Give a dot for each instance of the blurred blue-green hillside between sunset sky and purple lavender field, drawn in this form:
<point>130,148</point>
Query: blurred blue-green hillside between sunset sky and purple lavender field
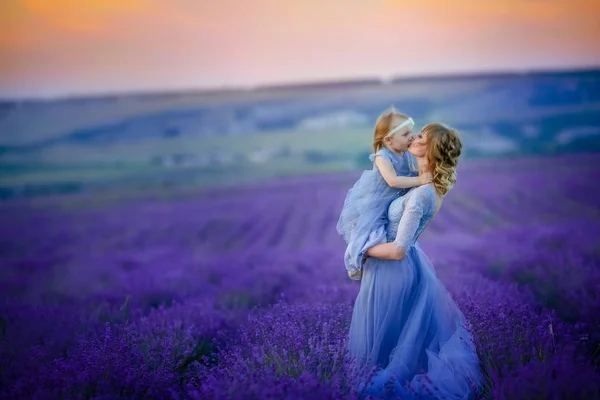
<point>123,142</point>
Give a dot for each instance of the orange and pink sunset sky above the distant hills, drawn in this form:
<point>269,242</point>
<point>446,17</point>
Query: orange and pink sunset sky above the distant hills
<point>60,47</point>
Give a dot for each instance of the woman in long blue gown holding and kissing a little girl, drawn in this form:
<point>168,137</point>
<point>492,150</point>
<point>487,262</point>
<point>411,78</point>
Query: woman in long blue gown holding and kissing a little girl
<point>404,320</point>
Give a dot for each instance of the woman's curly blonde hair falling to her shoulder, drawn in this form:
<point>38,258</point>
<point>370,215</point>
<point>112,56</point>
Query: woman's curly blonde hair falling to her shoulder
<point>445,148</point>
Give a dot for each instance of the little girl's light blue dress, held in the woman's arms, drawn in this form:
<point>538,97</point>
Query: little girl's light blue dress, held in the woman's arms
<point>363,218</point>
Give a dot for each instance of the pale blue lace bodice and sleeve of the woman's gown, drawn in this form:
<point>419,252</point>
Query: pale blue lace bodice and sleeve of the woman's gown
<point>408,215</point>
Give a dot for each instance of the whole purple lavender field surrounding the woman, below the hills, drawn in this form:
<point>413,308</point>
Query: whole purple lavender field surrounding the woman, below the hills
<point>241,293</point>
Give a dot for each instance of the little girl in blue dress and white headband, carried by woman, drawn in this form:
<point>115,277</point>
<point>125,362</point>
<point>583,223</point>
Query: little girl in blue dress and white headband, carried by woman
<point>364,215</point>
